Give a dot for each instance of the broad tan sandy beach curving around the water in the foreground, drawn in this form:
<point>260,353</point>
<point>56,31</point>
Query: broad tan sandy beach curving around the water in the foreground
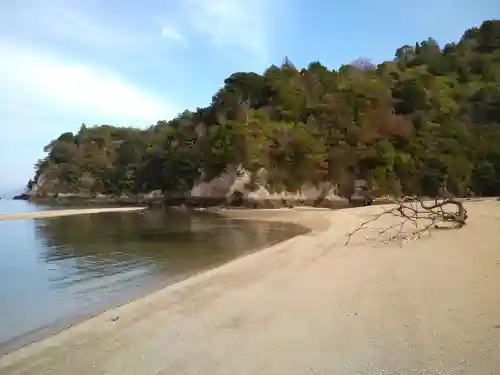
<point>309,305</point>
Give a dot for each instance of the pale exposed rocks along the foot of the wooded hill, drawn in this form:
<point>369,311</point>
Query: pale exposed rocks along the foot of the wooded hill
<point>236,186</point>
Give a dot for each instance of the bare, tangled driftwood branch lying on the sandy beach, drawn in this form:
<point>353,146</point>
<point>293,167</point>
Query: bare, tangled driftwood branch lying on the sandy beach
<point>422,216</point>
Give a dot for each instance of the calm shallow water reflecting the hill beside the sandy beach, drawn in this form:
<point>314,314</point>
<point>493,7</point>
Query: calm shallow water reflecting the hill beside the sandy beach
<point>58,270</point>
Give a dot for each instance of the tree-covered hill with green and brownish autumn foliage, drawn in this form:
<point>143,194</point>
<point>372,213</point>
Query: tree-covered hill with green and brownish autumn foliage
<point>429,115</point>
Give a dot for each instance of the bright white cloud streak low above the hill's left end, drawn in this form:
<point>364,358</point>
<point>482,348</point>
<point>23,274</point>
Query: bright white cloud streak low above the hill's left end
<point>58,85</point>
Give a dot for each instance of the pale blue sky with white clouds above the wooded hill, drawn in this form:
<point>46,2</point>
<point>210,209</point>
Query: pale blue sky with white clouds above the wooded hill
<point>127,62</point>
